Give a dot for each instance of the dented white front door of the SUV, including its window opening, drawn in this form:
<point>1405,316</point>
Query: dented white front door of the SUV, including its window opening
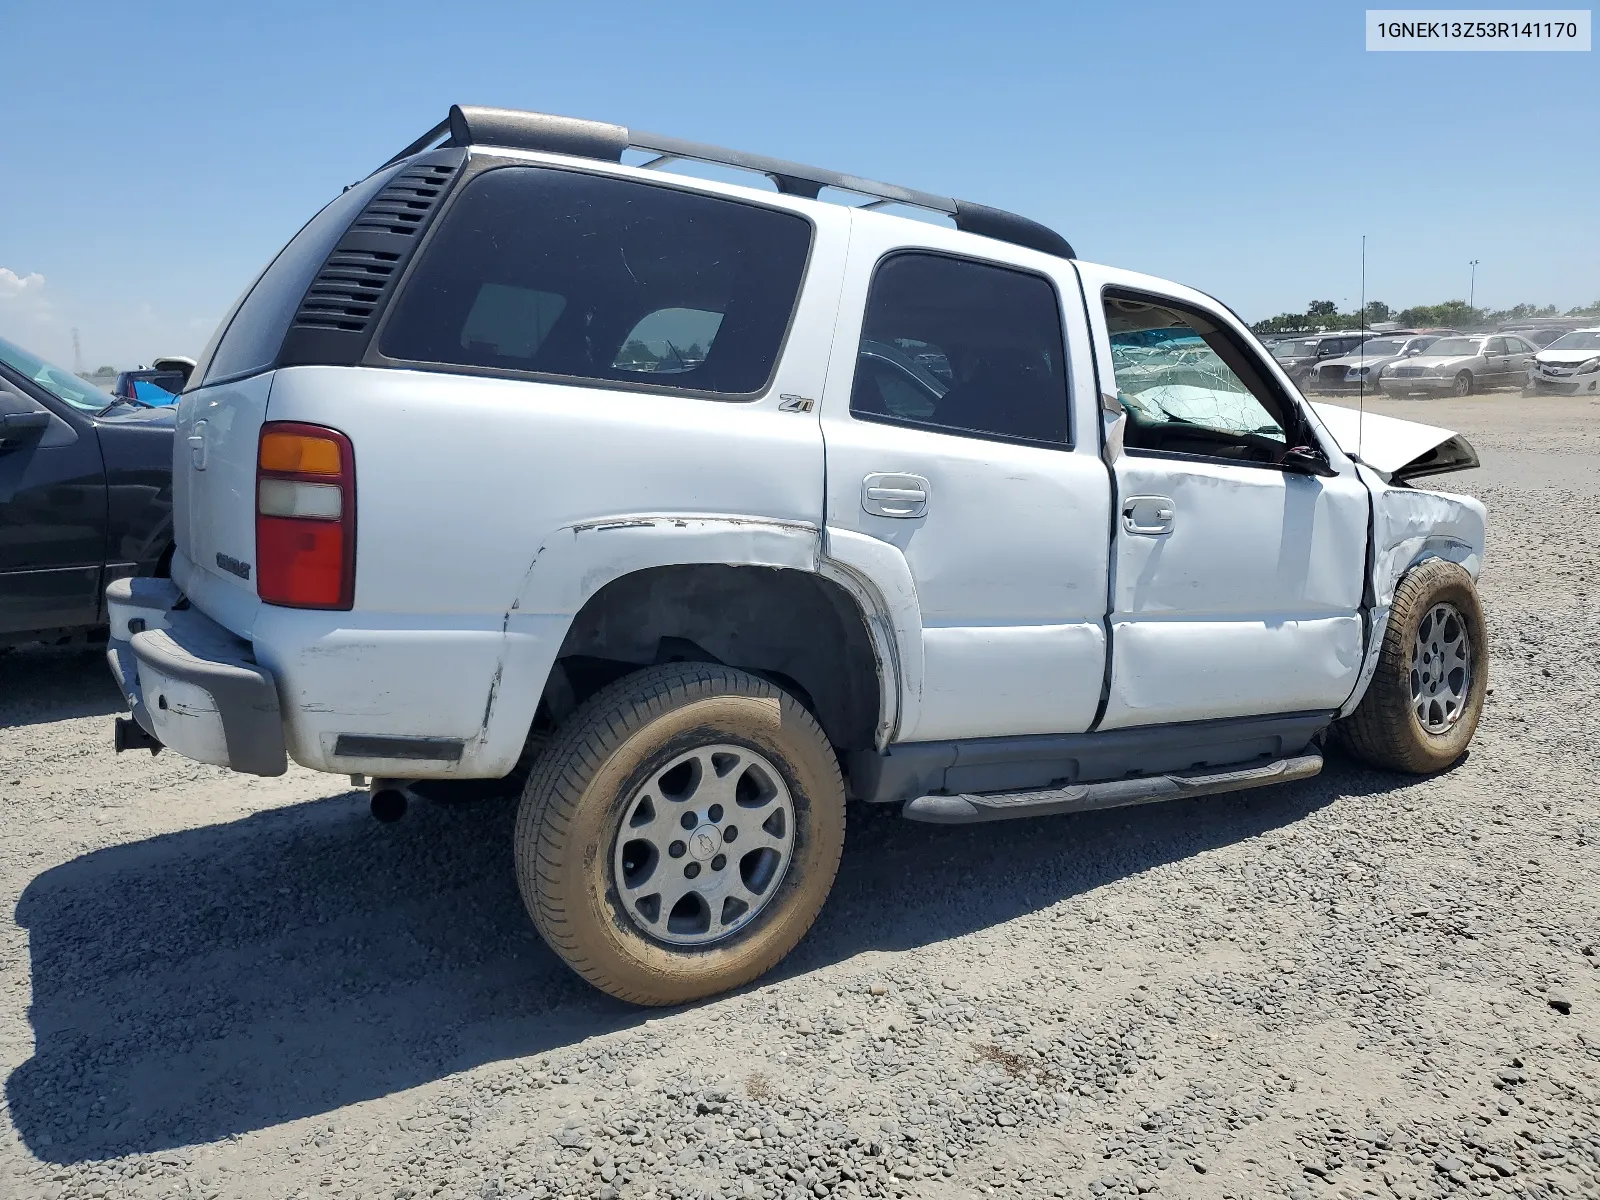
<point>1238,583</point>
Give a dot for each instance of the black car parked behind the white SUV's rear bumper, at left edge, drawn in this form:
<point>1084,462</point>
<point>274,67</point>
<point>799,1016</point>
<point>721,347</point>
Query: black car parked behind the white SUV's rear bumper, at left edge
<point>86,497</point>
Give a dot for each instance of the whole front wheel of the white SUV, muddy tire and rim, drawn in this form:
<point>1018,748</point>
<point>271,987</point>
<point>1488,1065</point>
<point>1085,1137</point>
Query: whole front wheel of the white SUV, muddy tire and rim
<point>1426,697</point>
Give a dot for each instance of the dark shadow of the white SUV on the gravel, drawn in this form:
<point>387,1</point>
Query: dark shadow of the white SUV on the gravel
<point>238,977</point>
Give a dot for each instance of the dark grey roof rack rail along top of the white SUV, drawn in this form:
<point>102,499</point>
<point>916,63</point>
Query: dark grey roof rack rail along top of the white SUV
<point>599,140</point>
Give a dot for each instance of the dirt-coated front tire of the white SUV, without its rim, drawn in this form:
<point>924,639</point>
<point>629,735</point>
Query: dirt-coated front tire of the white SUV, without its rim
<point>1385,730</point>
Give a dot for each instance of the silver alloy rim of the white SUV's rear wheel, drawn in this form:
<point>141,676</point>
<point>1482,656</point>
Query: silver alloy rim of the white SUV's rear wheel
<point>705,846</point>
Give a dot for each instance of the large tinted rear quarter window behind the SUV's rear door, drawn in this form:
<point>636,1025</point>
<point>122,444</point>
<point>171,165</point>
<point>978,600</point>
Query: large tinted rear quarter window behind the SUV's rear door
<point>590,278</point>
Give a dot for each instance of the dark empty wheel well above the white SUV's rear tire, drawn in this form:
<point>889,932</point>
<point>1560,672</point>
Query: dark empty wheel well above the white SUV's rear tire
<point>796,630</point>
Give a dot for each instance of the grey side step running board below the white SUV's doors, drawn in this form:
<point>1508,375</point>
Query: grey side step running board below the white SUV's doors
<point>961,810</point>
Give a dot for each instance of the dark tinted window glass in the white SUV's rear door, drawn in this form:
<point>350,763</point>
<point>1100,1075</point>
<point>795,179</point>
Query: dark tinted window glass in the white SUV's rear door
<point>962,348</point>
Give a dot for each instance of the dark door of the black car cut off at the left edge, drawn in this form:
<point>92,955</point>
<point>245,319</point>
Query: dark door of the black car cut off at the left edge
<point>52,516</point>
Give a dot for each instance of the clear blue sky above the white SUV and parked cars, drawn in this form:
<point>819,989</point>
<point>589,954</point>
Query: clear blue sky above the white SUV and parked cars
<point>159,154</point>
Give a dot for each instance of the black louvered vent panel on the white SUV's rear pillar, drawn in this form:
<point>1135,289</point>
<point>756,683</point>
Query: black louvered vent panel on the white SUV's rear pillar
<point>343,302</point>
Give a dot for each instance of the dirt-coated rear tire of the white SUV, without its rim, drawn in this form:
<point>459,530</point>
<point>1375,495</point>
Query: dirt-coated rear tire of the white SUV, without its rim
<point>574,809</point>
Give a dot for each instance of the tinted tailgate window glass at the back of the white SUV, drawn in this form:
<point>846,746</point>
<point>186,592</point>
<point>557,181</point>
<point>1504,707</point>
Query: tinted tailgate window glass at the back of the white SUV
<point>255,335</point>
